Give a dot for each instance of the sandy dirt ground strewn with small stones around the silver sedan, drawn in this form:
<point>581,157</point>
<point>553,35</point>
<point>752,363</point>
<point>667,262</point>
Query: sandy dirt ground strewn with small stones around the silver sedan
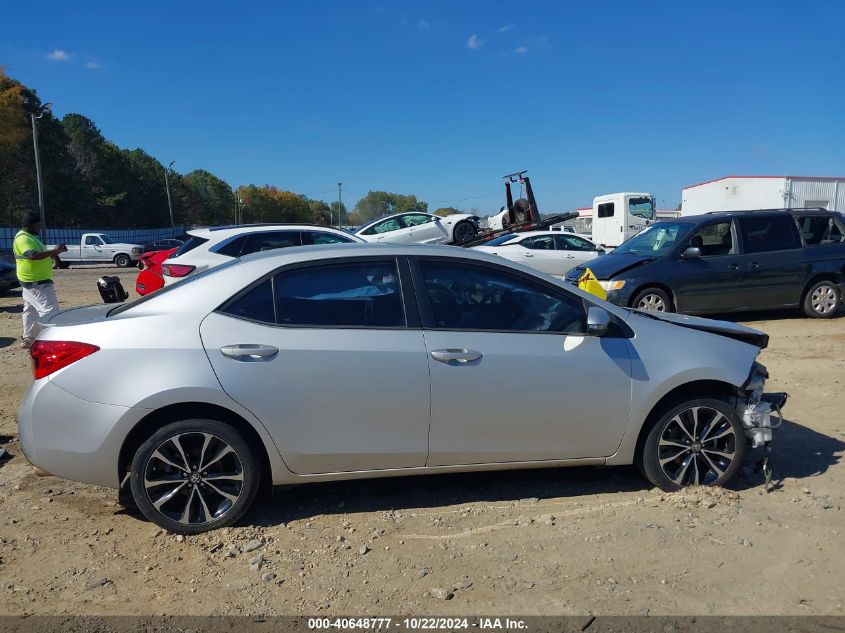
<point>569,541</point>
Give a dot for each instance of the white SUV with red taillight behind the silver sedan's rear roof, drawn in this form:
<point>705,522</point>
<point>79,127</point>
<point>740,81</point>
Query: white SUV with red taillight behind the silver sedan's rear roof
<point>207,248</point>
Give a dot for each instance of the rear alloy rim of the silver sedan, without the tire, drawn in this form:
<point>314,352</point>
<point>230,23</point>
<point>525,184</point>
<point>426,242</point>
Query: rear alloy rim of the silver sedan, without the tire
<point>193,478</point>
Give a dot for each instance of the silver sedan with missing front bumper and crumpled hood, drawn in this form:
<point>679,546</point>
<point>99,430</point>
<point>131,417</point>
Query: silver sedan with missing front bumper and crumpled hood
<point>347,361</point>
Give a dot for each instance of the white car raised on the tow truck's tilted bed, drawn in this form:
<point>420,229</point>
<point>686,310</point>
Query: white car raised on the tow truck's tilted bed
<point>421,228</point>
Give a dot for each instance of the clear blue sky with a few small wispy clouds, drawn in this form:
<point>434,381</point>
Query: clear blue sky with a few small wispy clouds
<point>441,99</point>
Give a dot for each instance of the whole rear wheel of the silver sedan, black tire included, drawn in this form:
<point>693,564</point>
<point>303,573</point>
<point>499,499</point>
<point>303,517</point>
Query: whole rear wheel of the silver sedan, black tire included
<point>190,503</point>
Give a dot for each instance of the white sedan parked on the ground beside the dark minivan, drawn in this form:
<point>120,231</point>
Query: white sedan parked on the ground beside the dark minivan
<point>552,252</point>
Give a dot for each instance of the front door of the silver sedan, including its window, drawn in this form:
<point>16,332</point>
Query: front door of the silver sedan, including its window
<point>513,377</point>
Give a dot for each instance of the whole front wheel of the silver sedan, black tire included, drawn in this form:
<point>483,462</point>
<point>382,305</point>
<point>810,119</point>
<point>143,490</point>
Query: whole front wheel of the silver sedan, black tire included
<point>703,462</point>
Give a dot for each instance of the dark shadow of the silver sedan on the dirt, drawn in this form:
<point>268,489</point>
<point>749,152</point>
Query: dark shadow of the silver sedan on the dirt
<point>798,452</point>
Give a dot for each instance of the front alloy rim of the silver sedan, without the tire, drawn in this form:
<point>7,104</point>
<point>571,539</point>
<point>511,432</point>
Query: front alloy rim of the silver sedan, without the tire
<point>697,446</point>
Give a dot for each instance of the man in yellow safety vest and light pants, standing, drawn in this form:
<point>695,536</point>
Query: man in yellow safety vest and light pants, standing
<point>34,264</point>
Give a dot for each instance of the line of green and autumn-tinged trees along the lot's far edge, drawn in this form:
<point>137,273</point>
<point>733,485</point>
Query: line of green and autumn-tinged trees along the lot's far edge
<point>90,181</point>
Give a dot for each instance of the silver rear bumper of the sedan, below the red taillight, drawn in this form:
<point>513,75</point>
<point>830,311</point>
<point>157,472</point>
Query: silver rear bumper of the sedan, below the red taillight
<point>70,437</point>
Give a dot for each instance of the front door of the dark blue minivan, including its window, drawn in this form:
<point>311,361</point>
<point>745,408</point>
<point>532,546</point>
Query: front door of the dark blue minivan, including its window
<point>715,281</point>
